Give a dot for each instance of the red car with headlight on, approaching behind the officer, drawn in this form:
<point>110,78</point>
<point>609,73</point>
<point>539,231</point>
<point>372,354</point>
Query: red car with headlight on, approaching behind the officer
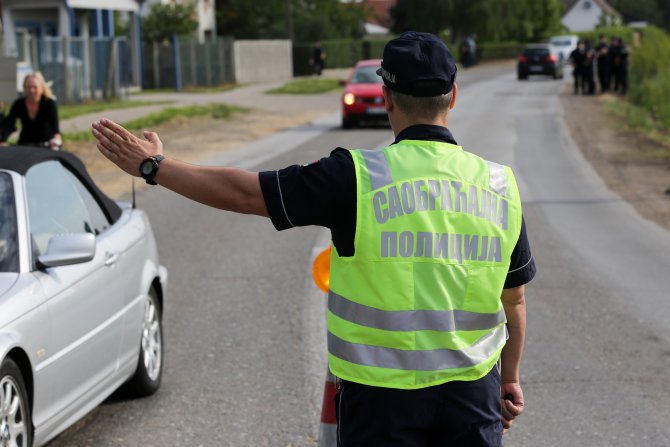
<point>362,99</point>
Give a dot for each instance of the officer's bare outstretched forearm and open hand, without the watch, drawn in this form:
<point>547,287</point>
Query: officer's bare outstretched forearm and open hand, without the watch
<point>225,188</point>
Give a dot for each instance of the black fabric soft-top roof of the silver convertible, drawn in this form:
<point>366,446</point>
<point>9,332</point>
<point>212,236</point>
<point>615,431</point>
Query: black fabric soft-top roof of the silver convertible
<point>21,158</point>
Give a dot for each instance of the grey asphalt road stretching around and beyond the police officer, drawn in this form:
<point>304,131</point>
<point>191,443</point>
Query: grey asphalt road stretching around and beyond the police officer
<point>244,330</point>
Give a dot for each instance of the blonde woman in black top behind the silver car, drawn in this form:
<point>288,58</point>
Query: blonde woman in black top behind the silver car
<point>38,112</point>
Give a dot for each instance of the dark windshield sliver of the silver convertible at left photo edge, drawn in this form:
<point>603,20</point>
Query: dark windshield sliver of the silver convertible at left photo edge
<point>9,253</point>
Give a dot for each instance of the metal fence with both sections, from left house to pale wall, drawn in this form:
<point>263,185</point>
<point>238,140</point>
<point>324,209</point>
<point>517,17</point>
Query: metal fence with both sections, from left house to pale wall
<point>81,68</point>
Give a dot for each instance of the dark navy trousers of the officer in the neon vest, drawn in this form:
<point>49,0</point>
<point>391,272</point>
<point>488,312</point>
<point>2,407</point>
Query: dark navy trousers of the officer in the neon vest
<point>454,414</point>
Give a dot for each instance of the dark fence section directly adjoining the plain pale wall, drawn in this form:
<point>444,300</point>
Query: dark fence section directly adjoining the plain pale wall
<point>188,63</point>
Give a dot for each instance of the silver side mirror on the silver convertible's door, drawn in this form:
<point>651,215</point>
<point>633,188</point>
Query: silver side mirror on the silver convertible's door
<point>67,249</point>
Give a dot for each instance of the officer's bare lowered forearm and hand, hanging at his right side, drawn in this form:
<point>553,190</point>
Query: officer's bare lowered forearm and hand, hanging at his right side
<point>514,303</point>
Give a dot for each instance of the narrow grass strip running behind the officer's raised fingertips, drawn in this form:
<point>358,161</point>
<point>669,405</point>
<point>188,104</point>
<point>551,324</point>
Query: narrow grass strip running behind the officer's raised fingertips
<point>217,111</point>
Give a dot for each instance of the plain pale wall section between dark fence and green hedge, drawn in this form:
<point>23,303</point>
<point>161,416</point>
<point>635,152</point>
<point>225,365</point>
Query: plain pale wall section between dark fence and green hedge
<point>263,60</point>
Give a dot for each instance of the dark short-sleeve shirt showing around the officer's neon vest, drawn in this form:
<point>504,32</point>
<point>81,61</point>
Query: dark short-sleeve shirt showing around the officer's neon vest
<point>324,193</point>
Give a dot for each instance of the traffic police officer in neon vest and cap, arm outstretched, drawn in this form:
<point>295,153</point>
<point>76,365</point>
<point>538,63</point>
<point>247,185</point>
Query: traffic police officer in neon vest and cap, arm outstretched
<point>430,258</point>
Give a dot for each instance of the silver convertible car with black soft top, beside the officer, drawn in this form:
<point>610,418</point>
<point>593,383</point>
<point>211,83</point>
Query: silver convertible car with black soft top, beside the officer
<point>81,296</point>
